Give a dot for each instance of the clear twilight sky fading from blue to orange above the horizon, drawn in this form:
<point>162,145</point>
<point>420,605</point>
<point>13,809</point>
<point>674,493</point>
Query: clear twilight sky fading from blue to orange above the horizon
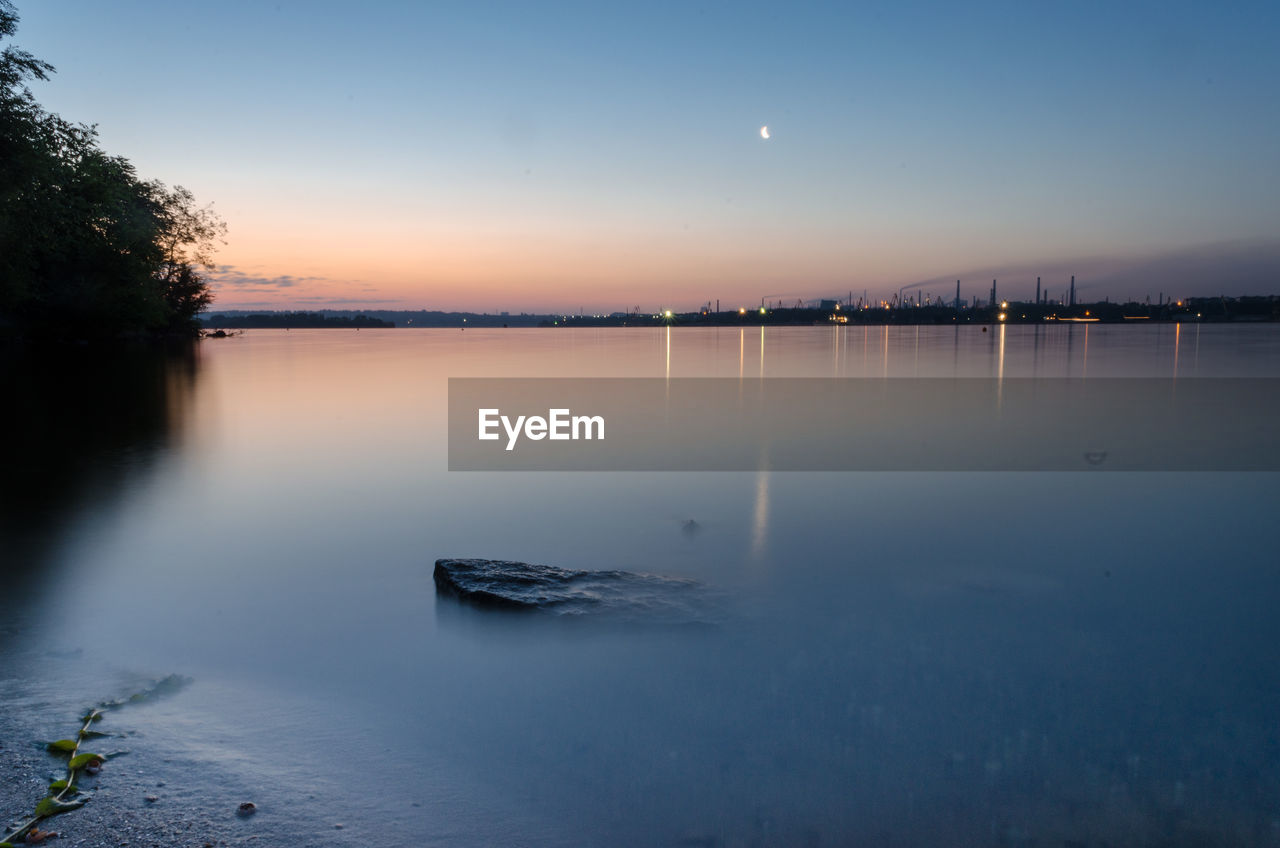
<point>556,157</point>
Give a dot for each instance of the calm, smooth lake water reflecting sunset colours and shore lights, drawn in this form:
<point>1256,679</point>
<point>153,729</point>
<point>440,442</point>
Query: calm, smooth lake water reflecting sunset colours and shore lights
<point>893,659</point>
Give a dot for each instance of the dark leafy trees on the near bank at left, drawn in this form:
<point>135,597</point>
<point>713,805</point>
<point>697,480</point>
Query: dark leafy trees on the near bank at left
<point>88,249</point>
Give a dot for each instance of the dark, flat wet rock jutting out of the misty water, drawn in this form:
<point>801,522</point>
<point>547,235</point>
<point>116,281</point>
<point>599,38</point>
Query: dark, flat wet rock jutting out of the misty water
<point>520,586</point>
